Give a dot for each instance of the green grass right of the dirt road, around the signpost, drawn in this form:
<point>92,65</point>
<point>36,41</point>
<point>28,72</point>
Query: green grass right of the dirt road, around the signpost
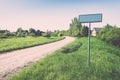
<point>70,63</point>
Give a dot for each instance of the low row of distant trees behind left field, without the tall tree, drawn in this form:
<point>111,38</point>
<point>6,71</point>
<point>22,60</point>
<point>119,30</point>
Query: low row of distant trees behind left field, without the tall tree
<point>31,32</point>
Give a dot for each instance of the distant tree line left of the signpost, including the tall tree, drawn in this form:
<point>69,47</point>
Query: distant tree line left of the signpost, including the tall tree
<point>75,30</point>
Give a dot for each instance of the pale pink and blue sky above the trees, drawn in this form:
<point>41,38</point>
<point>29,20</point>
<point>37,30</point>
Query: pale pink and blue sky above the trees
<point>55,14</point>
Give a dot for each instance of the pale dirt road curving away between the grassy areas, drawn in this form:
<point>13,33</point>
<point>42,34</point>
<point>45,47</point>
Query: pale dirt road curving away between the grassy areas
<point>14,61</point>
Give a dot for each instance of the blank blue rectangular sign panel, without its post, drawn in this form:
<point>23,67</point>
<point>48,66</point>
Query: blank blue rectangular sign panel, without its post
<point>90,18</point>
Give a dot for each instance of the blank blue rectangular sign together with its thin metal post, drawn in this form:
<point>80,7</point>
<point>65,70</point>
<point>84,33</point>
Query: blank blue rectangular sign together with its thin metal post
<point>90,18</point>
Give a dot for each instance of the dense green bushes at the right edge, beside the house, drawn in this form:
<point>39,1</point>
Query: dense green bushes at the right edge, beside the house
<point>111,36</point>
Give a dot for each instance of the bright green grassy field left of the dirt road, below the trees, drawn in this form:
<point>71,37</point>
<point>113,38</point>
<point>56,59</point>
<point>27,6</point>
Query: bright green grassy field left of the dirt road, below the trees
<point>10,44</point>
